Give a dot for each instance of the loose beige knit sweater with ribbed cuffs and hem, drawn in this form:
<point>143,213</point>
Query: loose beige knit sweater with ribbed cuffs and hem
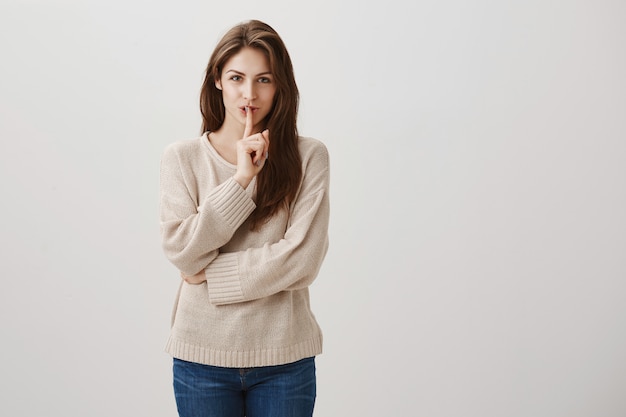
<point>254,309</point>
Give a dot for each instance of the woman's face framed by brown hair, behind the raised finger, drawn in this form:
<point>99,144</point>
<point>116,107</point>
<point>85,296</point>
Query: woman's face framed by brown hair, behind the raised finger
<point>247,81</point>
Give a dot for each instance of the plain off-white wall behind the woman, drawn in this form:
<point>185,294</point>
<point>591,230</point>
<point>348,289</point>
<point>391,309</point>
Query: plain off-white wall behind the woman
<point>478,237</point>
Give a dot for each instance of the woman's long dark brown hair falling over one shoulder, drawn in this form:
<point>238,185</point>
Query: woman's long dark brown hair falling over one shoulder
<point>278,181</point>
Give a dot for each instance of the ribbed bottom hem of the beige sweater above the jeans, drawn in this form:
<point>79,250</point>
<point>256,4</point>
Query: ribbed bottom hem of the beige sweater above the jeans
<point>244,359</point>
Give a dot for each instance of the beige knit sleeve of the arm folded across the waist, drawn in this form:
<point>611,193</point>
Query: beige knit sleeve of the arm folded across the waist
<point>291,263</point>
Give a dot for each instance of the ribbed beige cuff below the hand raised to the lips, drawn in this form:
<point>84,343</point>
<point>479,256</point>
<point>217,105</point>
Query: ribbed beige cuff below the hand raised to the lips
<point>232,202</point>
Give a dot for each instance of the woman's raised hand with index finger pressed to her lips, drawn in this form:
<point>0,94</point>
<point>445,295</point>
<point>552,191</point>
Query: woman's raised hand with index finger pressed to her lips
<point>252,152</point>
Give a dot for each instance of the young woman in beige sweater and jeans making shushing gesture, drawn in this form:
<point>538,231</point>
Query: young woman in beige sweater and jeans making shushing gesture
<point>244,217</point>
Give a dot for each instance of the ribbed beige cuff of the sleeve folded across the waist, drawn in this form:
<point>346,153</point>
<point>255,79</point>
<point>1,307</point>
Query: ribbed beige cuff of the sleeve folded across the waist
<point>223,281</point>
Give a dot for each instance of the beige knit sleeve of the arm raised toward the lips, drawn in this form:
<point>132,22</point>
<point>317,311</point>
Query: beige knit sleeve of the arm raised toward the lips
<point>192,234</point>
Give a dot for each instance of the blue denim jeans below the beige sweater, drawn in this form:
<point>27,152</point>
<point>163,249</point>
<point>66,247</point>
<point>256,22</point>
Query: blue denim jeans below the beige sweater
<point>271,391</point>
